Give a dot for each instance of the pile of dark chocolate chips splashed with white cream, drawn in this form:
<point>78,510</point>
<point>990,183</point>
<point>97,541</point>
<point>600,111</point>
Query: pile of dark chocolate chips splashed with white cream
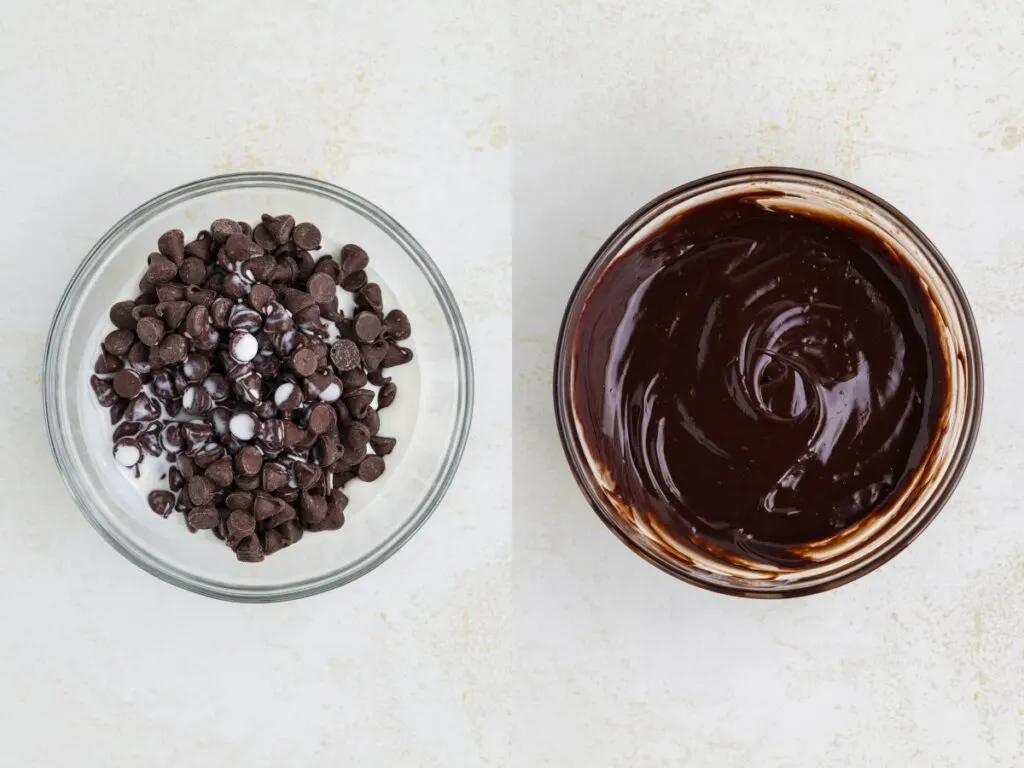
<point>237,366</point>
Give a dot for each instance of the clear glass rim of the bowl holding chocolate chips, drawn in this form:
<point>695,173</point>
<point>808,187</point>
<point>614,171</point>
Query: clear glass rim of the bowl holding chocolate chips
<point>54,407</point>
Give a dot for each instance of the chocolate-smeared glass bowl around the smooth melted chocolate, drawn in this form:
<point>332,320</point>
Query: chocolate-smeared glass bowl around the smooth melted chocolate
<point>866,546</point>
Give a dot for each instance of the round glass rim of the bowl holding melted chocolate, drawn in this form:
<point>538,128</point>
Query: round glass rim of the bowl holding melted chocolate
<point>718,182</point>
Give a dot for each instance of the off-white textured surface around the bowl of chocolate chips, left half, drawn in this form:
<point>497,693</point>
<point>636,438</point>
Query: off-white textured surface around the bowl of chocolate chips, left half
<point>107,105</point>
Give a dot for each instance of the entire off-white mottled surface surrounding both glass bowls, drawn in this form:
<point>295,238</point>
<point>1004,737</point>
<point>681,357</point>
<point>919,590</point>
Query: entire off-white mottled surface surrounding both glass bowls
<point>579,651</point>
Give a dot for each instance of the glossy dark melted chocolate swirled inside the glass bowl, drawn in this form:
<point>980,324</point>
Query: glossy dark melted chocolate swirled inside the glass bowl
<point>757,380</point>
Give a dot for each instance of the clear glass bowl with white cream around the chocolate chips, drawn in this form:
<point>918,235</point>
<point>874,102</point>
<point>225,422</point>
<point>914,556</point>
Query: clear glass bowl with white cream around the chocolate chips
<point>431,418</point>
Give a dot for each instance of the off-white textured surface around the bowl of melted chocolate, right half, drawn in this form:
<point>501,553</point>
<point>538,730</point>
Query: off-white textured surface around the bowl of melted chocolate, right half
<point>921,664</point>
